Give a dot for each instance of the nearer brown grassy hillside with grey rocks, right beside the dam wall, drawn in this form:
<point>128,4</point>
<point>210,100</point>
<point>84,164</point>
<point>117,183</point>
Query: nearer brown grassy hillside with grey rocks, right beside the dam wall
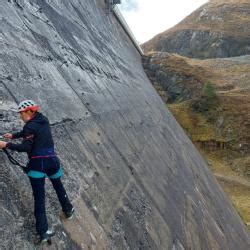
<point>222,132</point>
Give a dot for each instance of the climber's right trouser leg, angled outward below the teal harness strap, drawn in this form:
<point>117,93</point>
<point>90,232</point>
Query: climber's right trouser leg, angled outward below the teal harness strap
<point>61,194</point>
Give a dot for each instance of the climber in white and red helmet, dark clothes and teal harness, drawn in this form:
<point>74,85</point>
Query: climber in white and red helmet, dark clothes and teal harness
<point>38,144</point>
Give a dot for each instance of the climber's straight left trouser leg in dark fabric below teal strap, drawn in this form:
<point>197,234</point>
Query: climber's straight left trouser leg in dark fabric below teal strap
<point>37,185</point>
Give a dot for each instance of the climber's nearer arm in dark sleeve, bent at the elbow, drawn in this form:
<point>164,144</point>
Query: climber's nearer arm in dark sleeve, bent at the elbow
<point>26,145</point>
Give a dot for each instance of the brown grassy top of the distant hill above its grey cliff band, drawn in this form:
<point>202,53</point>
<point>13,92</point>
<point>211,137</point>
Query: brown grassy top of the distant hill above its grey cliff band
<point>227,17</point>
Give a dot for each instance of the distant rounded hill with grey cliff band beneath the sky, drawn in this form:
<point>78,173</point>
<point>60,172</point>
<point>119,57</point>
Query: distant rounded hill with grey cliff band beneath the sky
<point>220,28</point>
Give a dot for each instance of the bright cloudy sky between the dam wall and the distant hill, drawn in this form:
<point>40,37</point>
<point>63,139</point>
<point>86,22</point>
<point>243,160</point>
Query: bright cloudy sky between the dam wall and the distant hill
<point>147,18</point>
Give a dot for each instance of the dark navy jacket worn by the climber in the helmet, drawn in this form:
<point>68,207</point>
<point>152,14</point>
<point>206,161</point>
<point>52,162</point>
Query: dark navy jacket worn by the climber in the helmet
<point>37,138</point>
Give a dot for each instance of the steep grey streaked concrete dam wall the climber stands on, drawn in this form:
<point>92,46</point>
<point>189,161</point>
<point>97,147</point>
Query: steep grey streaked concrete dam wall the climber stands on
<point>136,180</point>
